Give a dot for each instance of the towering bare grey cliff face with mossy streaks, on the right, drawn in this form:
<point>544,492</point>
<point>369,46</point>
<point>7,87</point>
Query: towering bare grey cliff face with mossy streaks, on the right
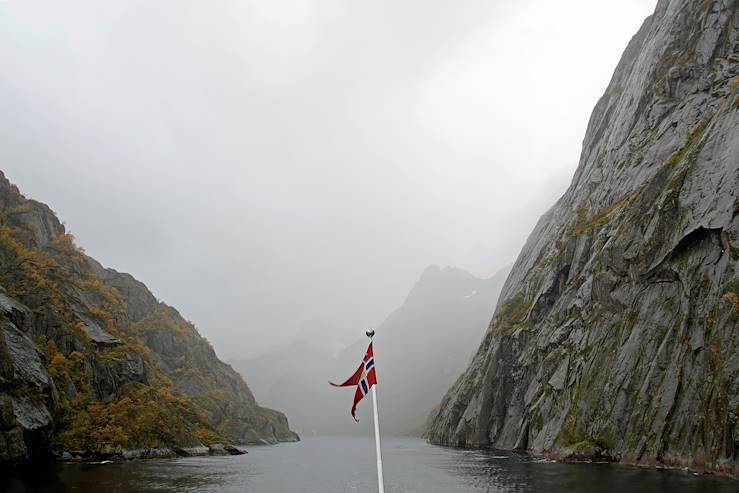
<point>616,332</point>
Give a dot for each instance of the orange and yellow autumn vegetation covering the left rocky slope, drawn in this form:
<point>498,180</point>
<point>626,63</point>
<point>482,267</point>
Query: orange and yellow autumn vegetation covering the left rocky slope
<point>144,409</point>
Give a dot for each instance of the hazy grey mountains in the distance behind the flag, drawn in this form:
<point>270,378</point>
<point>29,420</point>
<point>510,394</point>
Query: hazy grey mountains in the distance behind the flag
<point>437,323</point>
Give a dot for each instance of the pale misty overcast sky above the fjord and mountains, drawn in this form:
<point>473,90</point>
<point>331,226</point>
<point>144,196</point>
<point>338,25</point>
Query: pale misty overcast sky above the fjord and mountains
<point>259,164</point>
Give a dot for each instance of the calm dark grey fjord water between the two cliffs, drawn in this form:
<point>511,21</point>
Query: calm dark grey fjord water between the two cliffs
<point>347,464</point>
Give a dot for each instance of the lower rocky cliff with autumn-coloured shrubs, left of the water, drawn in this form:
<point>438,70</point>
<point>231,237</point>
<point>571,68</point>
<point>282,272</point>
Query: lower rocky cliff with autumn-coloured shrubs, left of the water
<point>91,361</point>
